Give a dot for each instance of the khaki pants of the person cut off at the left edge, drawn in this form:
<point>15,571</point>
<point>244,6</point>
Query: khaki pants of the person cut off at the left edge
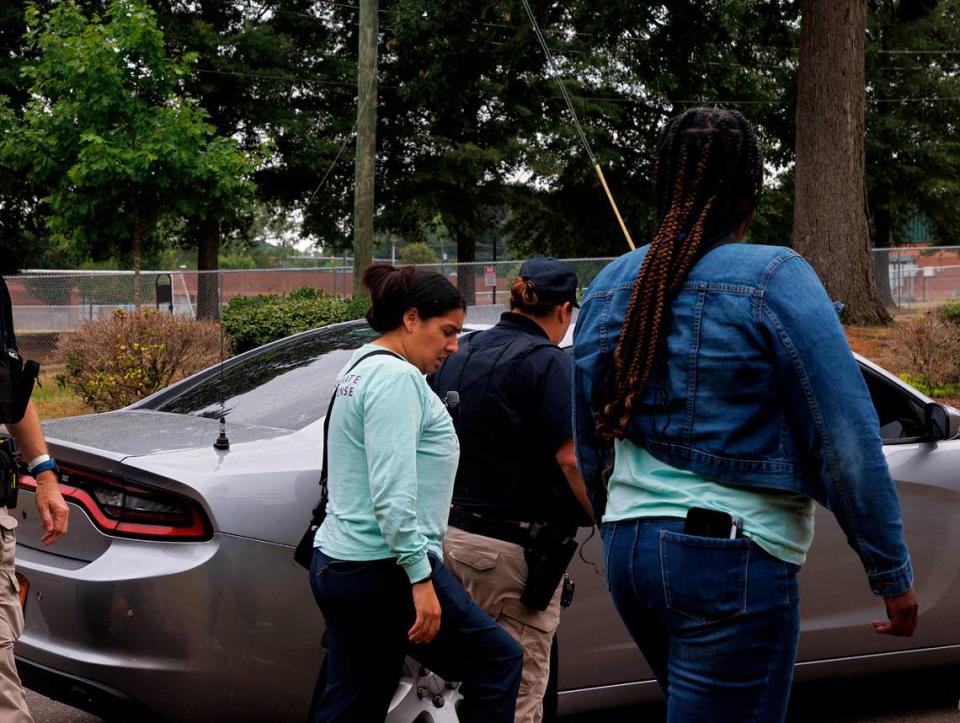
<point>13,702</point>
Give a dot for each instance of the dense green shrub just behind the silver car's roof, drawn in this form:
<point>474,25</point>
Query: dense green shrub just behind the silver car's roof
<point>250,321</point>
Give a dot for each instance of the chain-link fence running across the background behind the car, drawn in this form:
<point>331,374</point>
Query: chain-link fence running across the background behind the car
<point>47,304</point>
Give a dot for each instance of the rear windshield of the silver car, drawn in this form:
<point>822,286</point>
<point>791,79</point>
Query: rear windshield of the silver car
<point>287,386</point>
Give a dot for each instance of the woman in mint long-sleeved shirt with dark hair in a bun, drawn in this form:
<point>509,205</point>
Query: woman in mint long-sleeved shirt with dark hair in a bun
<point>377,573</point>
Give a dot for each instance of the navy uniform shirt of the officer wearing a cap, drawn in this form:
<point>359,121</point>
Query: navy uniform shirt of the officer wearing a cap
<point>515,413</point>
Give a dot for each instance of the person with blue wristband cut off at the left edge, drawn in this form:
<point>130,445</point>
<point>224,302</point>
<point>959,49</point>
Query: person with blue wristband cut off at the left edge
<point>20,417</point>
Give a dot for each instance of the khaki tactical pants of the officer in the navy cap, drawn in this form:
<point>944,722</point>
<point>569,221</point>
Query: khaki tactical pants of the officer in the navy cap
<point>494,572</point>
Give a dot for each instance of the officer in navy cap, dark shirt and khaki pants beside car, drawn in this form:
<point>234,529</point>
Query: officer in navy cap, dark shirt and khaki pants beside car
<point>518,498</point>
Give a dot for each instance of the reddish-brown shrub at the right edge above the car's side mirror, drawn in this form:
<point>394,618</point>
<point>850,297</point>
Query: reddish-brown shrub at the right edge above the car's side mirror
<point>933,346</point>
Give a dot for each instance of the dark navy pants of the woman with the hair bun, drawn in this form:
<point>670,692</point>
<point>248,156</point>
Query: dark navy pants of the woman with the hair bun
<point>368,609</point>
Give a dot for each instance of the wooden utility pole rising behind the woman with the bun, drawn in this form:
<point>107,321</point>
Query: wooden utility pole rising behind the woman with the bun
<point>366,156</point>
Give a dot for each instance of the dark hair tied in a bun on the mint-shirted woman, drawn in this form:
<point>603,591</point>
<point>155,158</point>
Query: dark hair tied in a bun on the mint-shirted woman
<point>394,290</point>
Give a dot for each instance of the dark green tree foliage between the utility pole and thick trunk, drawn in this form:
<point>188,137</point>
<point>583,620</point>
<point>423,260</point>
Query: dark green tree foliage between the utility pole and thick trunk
<point>477,123</point>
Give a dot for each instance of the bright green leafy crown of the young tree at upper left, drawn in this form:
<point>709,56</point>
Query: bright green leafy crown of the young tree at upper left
<point>108,136</point>
